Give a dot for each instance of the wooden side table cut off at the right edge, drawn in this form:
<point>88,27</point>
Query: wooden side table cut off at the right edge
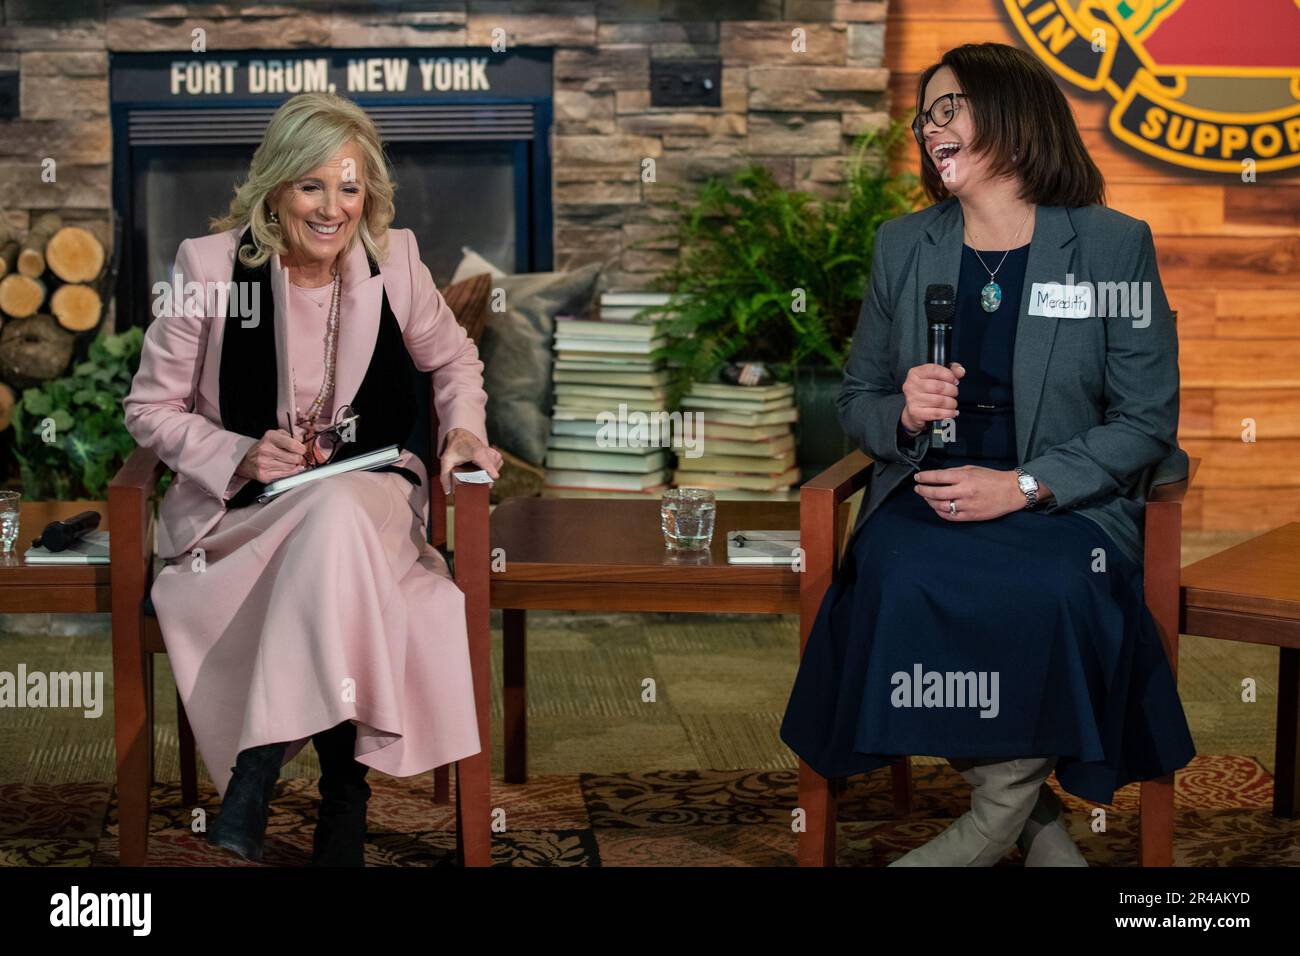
<point>1251,594</point>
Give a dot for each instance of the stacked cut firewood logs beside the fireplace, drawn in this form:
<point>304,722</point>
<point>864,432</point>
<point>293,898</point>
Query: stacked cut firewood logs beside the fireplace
<point>50,291</point>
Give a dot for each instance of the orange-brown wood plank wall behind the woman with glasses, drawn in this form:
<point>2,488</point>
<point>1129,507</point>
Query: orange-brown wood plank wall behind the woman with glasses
<point>1229,258</point>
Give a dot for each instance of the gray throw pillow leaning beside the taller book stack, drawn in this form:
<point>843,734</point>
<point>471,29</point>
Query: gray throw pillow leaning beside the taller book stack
<point>518,358</point>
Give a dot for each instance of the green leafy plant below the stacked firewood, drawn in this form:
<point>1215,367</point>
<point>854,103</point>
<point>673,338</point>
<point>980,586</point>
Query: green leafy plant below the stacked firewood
<point>70,435</point>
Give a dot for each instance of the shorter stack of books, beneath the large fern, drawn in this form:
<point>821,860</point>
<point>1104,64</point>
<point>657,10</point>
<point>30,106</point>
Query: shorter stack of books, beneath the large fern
<point>748,442</point>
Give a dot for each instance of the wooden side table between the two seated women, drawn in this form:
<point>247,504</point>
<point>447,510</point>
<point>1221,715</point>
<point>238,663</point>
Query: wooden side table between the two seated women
<point>595,555</point>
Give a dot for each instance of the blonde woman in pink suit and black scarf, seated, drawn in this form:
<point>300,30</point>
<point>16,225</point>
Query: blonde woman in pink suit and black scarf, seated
<point>323,613</point>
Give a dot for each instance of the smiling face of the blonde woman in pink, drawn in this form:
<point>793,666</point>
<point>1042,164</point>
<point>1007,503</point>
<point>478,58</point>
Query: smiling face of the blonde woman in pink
<point>322,210</point>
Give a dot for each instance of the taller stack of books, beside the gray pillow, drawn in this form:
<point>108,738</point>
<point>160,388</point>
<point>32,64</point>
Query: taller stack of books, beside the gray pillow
<point>604,375</point>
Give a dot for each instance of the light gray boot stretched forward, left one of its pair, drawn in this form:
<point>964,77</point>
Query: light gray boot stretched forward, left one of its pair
<point>1003,798</point>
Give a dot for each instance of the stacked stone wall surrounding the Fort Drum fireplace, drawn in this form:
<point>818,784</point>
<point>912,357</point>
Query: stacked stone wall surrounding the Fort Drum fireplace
<point>791,110</point>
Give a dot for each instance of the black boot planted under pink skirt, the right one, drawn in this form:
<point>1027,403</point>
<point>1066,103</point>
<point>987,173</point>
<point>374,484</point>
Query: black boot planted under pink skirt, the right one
<point>340,838</point>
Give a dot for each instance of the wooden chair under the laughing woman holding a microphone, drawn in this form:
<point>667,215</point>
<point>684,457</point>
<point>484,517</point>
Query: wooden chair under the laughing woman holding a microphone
<point>824,546</point>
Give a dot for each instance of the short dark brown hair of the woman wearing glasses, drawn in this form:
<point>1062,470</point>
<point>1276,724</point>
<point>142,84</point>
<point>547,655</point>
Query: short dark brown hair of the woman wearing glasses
<point>1017,109</point>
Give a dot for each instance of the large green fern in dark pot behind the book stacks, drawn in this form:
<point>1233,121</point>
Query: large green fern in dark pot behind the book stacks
<point>778,276</point>
